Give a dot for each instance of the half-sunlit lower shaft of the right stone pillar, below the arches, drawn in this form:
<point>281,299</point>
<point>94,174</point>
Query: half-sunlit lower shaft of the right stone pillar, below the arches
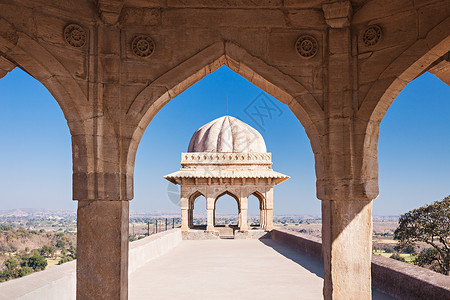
<point>347,249</point>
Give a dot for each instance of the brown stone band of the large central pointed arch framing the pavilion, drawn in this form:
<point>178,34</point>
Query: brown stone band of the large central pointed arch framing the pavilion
<point>281,86</point>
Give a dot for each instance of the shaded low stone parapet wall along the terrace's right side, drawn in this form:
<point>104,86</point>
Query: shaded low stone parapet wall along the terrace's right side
<point>398,279</point>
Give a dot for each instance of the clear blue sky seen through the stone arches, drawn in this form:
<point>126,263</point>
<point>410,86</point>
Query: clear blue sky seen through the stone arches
<point>35,147</point>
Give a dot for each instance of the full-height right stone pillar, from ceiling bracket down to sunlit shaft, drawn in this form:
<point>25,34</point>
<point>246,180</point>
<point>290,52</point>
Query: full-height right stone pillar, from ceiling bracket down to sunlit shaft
<point>347,176</point>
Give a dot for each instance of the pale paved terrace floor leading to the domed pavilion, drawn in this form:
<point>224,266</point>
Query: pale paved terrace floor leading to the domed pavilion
<point>230,269</point>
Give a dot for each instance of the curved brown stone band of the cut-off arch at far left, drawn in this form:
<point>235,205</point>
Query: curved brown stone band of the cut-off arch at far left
<point>27,53</point>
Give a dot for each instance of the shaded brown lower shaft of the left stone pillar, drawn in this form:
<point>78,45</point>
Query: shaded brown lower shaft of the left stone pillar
<point>102,249</point>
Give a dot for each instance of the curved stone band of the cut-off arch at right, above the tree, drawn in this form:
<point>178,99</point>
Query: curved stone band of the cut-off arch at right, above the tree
<point>410,64</point>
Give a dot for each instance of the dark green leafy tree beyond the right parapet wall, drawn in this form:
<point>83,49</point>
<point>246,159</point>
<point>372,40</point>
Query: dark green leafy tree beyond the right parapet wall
<point>429,224</point>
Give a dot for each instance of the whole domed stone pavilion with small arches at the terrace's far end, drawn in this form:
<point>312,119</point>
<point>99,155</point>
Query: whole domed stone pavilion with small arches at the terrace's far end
<point>226,156</point>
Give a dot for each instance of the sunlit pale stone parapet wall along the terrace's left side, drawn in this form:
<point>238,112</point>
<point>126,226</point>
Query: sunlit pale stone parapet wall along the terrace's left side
<point>59,282</point>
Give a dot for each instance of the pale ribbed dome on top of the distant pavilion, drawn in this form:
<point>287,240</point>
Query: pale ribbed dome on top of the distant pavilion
<point>227,134</point>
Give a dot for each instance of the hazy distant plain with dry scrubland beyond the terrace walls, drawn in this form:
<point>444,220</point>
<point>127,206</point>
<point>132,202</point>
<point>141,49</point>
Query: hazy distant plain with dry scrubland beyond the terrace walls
<point>32,239</point>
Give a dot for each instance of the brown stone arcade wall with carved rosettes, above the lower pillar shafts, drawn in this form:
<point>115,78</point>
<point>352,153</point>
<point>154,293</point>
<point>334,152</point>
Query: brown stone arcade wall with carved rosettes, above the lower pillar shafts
<point>367,51</point>
